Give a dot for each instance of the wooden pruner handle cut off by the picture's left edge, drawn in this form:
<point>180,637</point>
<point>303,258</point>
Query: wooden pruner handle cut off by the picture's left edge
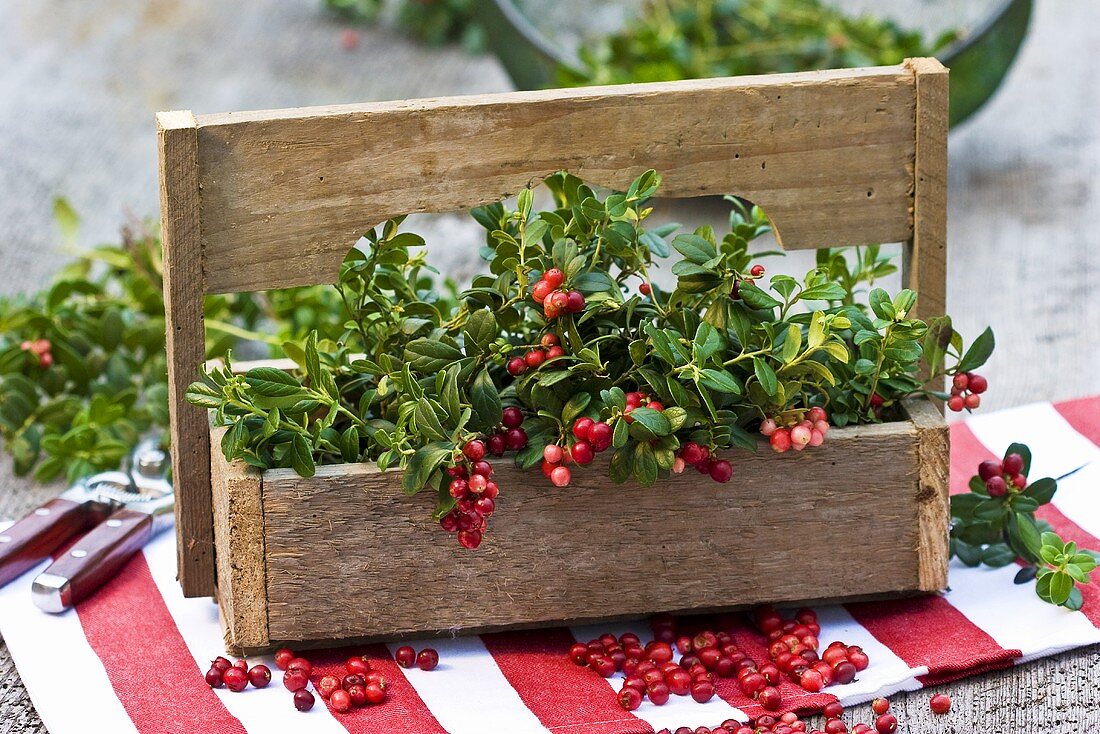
<point>30,541</point>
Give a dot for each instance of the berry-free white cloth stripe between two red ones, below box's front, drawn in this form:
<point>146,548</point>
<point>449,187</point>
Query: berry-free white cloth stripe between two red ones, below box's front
<point>468,694</point>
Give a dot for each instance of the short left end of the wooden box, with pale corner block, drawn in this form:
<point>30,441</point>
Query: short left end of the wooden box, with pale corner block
<point>239,531</point>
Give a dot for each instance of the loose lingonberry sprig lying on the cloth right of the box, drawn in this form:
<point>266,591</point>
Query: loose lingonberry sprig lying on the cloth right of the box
<point>995,524</point>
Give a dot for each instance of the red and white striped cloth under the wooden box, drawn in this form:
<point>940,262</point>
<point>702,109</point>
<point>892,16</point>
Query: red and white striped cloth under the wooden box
<point>131,659</point>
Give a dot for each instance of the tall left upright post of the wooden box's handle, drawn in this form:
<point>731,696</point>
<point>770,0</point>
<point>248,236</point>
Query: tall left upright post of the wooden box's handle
<point>184,289</point>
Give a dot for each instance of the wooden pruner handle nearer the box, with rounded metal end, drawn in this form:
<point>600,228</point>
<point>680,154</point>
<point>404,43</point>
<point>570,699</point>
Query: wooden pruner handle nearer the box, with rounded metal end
<point>93,562</point>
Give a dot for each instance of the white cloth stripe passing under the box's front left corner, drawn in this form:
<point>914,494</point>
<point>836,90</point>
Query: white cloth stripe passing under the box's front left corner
<point>261,710</point>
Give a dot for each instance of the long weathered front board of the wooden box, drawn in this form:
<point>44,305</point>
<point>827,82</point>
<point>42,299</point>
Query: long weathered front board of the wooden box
<point>349,556</point>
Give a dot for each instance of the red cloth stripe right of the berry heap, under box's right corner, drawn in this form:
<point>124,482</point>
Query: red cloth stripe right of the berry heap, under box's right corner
<point>928,631</point>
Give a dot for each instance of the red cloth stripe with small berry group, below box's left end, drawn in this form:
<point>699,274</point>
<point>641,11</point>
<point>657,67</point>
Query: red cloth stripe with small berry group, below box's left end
<point>403,711</point>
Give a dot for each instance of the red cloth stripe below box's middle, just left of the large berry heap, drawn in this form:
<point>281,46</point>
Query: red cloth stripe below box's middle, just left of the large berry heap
<point>562,695</point>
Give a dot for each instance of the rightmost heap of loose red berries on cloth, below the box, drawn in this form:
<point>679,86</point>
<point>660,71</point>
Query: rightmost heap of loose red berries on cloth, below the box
<point>794,650</point>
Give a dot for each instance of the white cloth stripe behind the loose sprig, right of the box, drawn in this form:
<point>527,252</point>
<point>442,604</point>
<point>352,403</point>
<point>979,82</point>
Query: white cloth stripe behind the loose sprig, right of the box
<point>1057,448</point>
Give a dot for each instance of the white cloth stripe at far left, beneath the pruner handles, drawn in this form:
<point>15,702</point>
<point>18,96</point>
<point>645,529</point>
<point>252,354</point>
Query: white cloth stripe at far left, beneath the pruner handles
<point>38,643</point>
